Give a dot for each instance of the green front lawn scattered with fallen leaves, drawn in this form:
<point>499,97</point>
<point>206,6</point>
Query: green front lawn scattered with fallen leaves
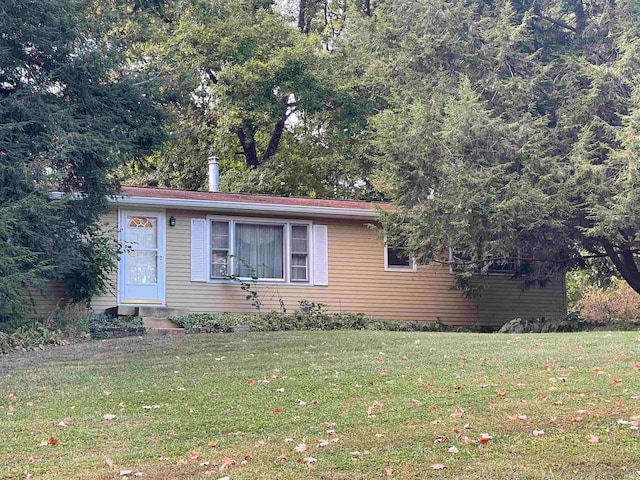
<point>363,404</point>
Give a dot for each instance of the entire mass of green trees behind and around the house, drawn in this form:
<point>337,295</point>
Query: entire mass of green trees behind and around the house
<point>505,131</point>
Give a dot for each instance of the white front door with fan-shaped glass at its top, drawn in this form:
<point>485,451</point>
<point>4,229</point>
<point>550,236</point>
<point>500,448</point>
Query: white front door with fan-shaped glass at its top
<point>142,273</point>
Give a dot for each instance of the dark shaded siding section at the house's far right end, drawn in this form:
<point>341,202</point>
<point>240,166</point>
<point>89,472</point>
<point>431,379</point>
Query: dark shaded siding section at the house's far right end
<point>505,300</point>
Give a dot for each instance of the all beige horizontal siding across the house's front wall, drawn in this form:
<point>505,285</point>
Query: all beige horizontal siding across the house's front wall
<point>358,282</point>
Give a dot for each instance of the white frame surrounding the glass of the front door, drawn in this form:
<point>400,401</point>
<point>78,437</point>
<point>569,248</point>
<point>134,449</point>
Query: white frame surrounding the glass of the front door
<point>161,215</point>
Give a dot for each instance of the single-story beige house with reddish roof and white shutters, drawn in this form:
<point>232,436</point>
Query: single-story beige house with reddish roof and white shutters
<point>184,249</point>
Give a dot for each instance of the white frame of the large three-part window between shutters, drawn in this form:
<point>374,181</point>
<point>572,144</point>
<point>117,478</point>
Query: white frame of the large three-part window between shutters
<point>285,223</point>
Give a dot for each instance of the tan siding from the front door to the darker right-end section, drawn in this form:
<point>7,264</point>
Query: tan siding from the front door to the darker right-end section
<point>357,281</point>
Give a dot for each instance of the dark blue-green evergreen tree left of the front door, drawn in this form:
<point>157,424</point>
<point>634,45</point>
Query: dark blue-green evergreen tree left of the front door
<point>67,117</point>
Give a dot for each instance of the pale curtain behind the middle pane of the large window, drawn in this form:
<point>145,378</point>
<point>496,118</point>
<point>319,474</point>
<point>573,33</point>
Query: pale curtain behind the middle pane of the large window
<point>261,247</point>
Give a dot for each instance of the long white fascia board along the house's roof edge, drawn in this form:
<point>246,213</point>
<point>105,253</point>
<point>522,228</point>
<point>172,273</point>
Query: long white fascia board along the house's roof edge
<point>210,205</point>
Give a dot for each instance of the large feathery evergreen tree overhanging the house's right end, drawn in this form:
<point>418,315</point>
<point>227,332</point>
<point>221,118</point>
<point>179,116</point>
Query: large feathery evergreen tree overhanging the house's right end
<point>513,133</point>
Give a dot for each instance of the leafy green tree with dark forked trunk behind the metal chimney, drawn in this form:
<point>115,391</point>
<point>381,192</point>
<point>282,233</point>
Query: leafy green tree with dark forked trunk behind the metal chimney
<point>245,84</point>
